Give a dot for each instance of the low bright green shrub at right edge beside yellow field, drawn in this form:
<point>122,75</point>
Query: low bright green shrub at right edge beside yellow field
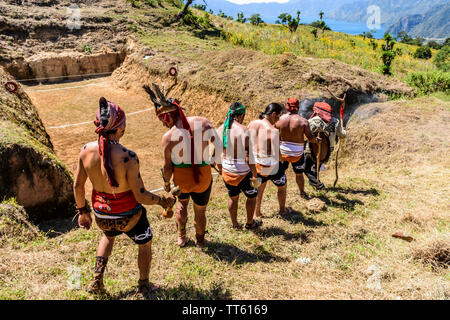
<point>429,82</point>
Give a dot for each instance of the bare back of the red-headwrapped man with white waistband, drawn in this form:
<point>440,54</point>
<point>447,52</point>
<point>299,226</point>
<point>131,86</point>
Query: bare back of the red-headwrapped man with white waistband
<point>293,128</point>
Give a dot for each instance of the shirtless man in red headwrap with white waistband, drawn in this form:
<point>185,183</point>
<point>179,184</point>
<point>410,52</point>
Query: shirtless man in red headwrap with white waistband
<point>293,129</point>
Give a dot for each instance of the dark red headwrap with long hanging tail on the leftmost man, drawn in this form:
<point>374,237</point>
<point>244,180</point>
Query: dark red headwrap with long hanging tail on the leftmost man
<point>116,120</point>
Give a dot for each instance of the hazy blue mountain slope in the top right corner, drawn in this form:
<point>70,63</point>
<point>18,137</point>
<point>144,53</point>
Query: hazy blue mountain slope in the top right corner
<point>435,23</point>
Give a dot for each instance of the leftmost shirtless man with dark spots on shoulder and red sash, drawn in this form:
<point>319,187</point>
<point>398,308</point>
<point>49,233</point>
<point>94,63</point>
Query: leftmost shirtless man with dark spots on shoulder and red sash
<point>118,194</point>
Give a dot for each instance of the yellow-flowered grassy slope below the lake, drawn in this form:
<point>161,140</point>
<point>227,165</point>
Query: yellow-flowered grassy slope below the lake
<point>354,50</point>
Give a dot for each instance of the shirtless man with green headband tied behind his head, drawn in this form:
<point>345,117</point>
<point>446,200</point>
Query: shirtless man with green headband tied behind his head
<point>238,172</point>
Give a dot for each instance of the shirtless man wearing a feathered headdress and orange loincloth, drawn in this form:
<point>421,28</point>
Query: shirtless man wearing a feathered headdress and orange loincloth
<point>185,159</point>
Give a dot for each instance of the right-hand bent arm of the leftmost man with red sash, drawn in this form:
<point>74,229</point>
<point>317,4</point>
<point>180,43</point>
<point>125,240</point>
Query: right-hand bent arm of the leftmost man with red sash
<point>137,186</point>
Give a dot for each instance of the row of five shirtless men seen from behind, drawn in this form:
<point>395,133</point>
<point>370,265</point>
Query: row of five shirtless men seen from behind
<point>245,157</point>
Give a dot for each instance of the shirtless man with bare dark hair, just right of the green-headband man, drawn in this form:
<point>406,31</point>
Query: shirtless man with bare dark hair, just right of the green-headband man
<point>265,144</point>
